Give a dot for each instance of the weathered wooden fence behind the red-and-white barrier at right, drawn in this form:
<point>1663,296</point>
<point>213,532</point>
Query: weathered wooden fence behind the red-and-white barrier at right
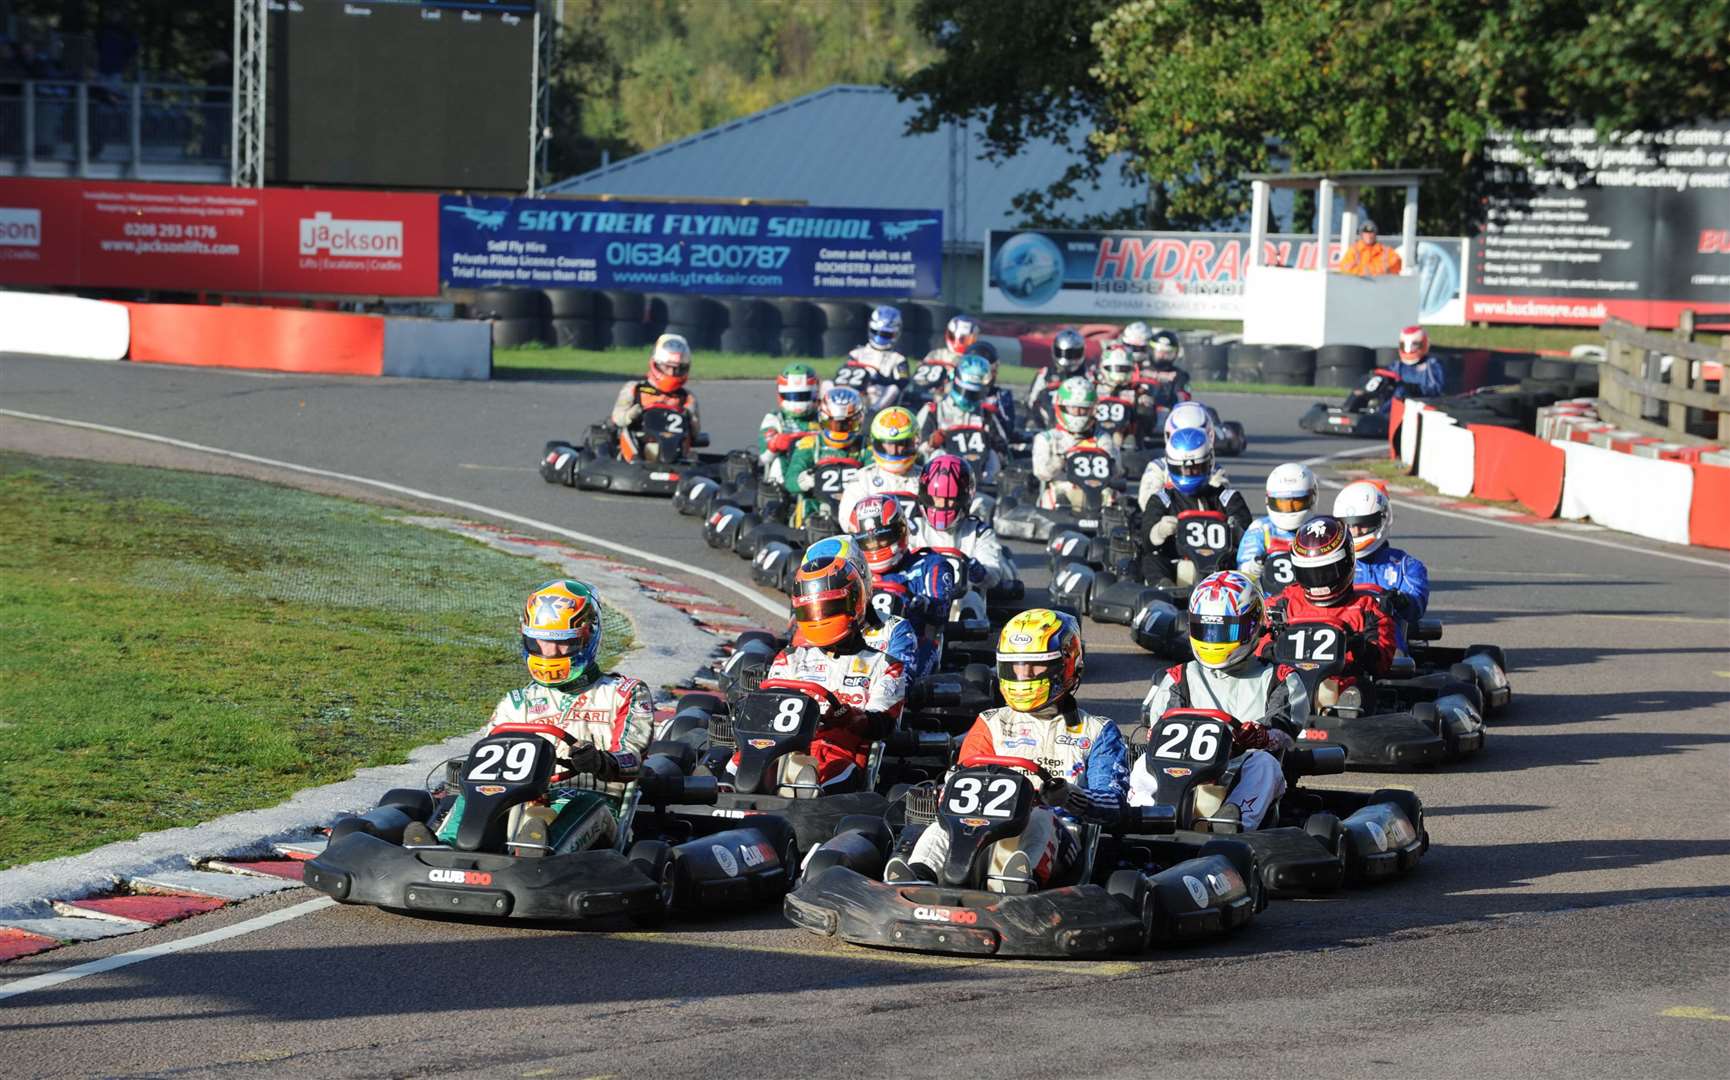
<point>1660,385</point>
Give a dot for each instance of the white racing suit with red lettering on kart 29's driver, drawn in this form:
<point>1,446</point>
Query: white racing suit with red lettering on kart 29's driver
<point>612,712</point>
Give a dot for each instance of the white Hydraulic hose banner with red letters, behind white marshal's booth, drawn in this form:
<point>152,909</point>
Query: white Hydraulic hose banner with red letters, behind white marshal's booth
<point>1174,274</point>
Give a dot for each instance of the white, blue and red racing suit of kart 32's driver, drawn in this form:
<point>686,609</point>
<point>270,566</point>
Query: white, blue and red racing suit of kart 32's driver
<point>1072,745</point>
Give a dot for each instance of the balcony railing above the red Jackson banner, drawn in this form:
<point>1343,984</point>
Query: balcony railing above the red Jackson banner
<point>106,129</point>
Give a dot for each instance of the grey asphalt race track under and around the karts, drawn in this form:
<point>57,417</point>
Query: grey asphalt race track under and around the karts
<point>1573,918</point>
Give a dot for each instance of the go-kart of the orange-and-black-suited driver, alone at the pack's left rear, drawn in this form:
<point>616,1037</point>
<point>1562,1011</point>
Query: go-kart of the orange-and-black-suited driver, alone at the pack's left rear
<point>648,460</point>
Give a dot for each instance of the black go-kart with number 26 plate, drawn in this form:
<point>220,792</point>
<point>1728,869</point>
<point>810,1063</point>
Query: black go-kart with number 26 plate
<point>1312,842</point>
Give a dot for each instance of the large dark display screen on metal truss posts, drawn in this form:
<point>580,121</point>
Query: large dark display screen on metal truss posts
<point>400,93</point>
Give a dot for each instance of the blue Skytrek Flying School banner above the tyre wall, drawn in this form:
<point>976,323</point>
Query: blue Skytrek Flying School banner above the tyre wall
<point>689,248</point>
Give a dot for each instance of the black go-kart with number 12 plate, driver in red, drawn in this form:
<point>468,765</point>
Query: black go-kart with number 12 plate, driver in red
<point>1395,719</point>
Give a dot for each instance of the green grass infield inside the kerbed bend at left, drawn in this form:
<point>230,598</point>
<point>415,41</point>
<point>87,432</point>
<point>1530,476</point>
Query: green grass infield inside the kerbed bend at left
<point>181,646</point>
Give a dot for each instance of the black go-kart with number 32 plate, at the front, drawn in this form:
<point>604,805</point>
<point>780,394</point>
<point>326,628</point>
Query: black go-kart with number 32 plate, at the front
<point>1117,897</point>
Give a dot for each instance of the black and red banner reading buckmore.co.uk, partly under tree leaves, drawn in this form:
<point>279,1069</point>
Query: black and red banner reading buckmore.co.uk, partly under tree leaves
<point>1631,236</point>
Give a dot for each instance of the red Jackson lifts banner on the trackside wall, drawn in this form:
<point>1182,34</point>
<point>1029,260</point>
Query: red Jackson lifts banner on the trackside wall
<point>195,236</point>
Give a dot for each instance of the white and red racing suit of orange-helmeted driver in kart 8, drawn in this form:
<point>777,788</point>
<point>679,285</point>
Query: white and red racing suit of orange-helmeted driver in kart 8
<point>868,674</point>
